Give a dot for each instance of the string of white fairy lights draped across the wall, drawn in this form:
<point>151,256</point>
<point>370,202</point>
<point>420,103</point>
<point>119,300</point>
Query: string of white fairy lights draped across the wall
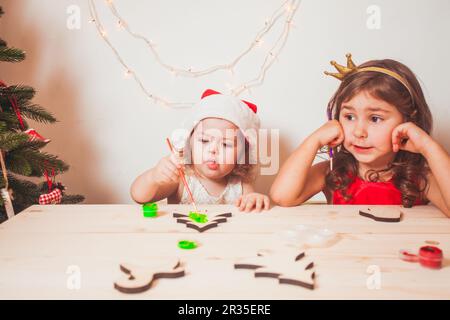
<point>287,10</point>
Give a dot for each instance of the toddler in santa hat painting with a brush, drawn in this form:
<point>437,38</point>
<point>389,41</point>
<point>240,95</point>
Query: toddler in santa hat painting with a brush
<point>219,158</point>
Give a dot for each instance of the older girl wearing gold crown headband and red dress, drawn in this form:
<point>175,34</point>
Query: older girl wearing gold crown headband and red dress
<point>379,130</point>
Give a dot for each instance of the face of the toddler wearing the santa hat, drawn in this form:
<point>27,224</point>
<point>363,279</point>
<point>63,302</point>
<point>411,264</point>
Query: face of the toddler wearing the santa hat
<point>214,148</point>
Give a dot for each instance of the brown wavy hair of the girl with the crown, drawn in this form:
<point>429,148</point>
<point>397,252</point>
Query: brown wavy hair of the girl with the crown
<point>409,170</point>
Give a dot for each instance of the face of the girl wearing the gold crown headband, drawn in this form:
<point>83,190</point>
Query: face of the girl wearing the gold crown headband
<point>368,123</point>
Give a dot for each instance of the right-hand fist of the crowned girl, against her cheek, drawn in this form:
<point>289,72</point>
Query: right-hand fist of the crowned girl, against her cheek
<point>409,137</point>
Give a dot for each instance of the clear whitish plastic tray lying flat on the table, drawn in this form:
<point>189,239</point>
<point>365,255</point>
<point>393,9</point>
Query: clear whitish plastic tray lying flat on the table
<point>307,235</point>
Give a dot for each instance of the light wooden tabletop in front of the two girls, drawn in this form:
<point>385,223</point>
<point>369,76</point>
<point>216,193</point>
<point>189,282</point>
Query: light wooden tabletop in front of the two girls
<point>45,247</point>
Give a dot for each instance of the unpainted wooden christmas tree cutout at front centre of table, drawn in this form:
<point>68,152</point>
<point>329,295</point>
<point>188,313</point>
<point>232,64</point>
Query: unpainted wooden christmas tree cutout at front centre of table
<point>295,271</point>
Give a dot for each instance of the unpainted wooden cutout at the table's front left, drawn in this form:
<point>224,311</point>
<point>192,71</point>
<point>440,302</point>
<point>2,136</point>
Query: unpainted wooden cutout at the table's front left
<point>137,279</point>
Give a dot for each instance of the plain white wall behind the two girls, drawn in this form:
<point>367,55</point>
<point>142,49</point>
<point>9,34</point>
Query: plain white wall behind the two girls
<point>109,132</point>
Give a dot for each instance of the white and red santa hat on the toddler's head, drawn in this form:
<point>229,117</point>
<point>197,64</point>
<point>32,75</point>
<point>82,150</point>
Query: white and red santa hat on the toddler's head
<point>241,113</point>
